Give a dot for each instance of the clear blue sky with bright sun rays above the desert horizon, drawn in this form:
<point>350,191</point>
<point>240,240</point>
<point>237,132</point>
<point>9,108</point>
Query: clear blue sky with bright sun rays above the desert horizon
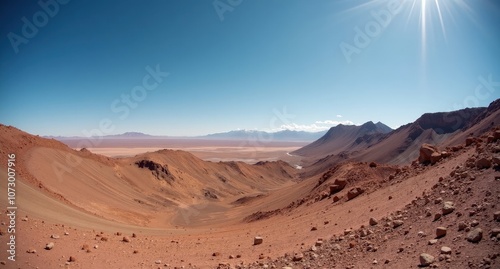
<point>69,67</point>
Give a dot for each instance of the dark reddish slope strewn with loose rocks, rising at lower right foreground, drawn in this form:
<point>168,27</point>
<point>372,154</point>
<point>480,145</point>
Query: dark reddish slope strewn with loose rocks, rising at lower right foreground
<point>455,225</point>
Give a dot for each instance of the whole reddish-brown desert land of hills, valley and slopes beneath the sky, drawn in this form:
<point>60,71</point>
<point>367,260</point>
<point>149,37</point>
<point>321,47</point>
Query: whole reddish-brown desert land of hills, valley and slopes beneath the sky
<point>426,194</point>
